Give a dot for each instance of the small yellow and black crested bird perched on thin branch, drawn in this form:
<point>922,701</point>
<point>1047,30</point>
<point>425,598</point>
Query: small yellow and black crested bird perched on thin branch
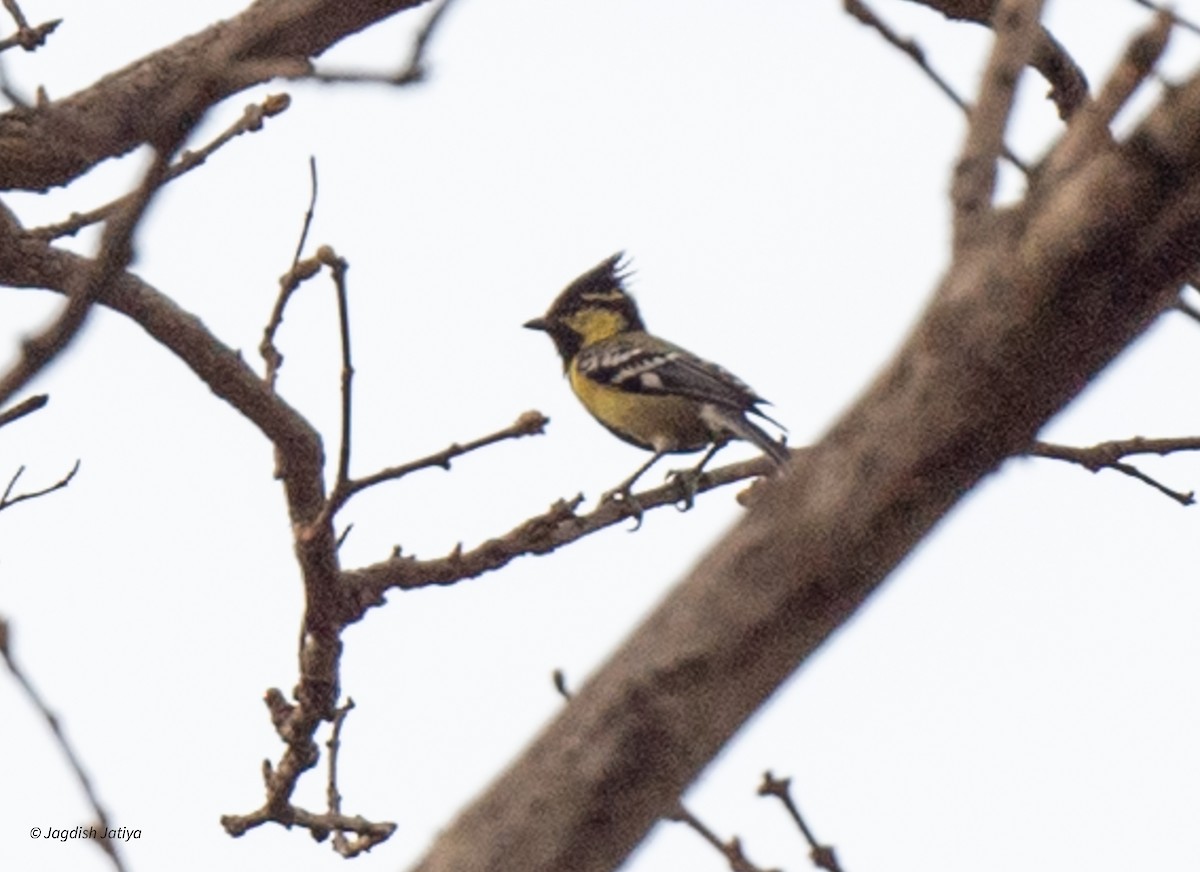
<point>646,390</point>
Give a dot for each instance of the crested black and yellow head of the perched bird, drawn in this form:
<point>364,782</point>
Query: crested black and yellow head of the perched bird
<point>593,308</point>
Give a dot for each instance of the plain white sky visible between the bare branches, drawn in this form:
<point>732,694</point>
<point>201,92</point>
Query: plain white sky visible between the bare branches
<point>1021,696</point>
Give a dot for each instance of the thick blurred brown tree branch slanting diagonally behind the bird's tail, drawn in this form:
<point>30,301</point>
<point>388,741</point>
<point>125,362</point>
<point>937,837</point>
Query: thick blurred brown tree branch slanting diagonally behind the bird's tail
<point>1019,326</point>
